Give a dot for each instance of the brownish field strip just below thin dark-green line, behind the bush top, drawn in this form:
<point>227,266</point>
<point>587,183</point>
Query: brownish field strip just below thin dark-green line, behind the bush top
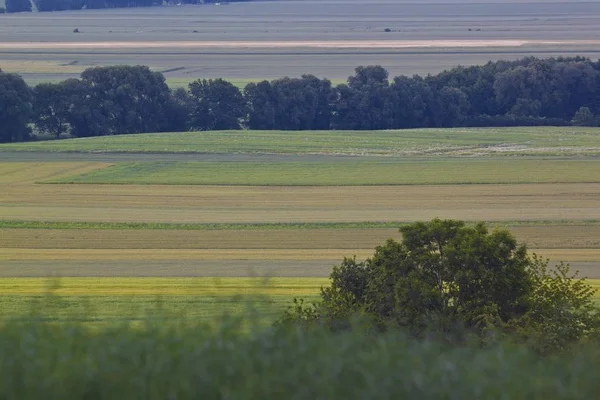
<point>544,236</point>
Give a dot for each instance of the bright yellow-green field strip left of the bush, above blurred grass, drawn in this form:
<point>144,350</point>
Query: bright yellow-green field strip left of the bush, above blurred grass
<point>103,299</point>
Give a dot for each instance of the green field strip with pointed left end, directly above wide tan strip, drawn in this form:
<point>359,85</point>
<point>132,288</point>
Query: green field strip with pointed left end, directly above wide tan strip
<point>346,173</point>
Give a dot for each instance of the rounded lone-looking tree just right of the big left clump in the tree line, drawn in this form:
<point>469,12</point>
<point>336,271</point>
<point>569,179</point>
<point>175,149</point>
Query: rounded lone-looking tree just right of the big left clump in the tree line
<point>217,105</point>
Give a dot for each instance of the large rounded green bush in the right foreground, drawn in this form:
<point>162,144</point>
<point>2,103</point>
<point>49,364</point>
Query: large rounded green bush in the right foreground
<point>446,278</point>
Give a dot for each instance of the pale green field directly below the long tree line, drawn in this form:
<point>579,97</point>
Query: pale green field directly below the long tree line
<point>497,141</point>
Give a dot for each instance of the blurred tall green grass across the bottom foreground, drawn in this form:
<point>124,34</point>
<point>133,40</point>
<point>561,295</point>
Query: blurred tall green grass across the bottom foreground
<point>170,360</point>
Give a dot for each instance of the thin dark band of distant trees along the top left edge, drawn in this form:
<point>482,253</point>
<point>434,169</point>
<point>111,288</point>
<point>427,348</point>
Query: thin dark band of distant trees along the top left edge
<point>13,6</point>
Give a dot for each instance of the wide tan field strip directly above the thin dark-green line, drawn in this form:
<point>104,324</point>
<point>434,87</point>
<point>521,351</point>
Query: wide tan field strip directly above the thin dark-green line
<point>299,204</point>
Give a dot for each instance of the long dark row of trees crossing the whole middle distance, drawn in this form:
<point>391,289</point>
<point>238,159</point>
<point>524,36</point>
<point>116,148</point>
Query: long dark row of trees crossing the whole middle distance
<point>133,99</point>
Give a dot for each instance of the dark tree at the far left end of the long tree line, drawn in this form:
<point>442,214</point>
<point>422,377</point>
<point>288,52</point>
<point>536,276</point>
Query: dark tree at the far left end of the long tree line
<point>15,108</point>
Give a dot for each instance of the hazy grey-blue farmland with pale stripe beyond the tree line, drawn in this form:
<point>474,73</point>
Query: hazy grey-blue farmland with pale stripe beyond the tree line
<point>266,40</point>
